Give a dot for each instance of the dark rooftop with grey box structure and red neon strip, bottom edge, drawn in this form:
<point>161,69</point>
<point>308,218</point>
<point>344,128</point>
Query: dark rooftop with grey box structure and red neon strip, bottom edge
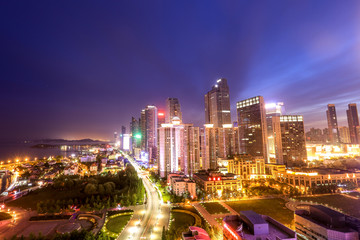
<point>252,226</point>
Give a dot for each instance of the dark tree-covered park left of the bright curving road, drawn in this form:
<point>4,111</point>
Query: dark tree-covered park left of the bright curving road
<point>88,193</point>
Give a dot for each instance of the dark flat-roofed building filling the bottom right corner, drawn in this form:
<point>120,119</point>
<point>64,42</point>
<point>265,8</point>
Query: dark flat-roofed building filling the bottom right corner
<point>322,223</point>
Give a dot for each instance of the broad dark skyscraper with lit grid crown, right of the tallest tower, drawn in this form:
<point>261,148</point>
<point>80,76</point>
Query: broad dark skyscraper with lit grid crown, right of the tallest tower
<point>251,116</point>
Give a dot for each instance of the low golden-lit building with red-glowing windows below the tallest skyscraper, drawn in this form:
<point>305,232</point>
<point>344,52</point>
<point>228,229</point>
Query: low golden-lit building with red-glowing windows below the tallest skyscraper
<point>211,182</point>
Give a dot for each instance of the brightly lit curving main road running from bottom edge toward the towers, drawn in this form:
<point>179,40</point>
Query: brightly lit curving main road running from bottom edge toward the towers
<point>148,220</point>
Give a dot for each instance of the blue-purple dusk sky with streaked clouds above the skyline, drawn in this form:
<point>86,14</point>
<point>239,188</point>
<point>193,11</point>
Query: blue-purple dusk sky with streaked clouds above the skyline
<point>76,69</point>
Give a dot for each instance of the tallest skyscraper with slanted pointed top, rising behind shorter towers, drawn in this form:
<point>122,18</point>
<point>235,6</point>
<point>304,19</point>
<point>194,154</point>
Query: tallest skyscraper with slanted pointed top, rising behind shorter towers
<point>217,104</point>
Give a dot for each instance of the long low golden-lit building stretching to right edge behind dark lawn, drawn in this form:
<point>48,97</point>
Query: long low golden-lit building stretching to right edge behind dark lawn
<point>311,177</point>
